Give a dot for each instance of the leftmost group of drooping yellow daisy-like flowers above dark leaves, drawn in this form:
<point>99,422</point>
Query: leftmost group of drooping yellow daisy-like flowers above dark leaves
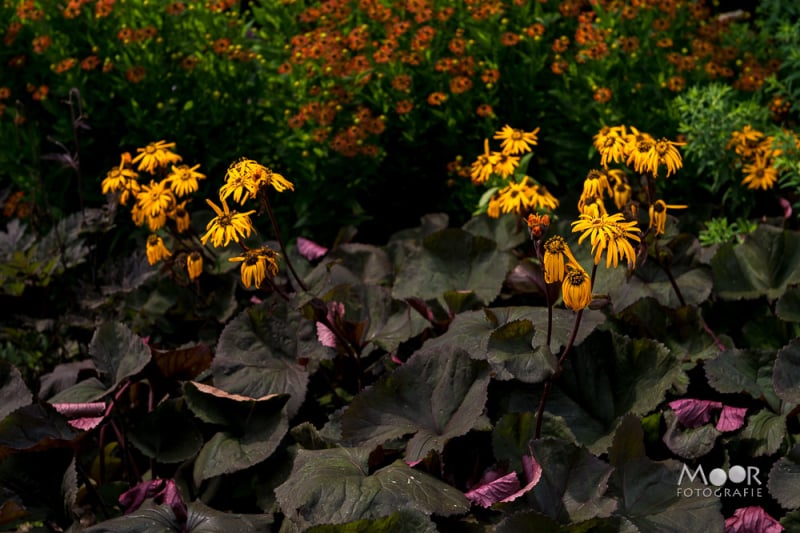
<point>161,205</point>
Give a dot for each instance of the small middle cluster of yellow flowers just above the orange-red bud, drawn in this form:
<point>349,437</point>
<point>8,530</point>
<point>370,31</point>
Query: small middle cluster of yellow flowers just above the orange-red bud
<point>513,191</point>
